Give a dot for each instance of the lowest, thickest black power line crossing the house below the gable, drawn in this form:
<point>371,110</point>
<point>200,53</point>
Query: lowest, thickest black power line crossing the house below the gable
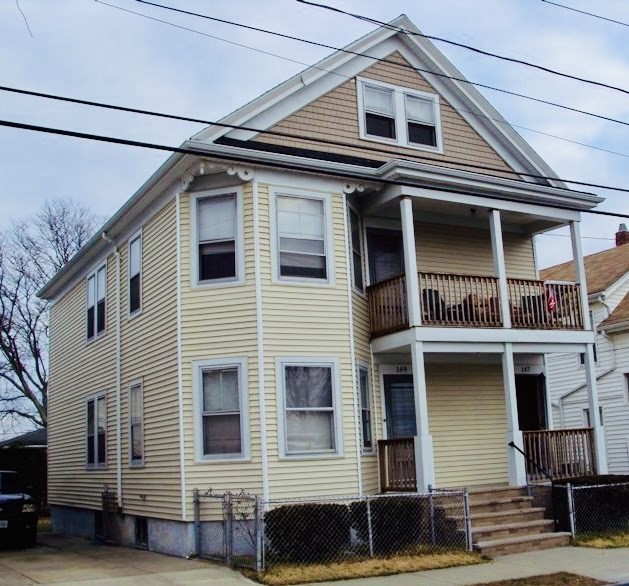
<point>286,166</point>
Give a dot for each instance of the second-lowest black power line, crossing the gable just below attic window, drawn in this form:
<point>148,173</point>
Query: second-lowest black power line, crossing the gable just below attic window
<point>322,141</point>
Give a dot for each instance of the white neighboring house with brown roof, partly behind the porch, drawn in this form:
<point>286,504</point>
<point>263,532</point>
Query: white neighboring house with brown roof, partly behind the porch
<point>608,287</point>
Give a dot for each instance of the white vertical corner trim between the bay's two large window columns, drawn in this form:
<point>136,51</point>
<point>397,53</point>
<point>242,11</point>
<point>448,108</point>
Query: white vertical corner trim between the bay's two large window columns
<point>260,340</point>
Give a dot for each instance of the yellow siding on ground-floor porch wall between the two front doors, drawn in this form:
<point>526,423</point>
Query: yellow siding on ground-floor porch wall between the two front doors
<point>468,422</point>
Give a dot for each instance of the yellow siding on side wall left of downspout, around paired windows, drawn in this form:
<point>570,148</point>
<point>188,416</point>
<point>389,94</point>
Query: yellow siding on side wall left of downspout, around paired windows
<point>79,370</point>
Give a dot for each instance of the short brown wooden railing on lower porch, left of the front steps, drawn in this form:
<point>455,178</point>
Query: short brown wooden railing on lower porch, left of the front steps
<point>396,458</point>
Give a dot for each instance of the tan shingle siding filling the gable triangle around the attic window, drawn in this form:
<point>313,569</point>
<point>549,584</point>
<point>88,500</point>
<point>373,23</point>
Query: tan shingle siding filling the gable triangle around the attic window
<point>334,116</point>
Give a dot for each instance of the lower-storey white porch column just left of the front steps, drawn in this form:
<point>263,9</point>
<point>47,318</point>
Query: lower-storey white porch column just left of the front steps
<point>424,455</point>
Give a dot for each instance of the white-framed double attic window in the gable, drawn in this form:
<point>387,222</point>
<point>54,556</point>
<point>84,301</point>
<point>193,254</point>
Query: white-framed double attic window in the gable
<point>390,113</point>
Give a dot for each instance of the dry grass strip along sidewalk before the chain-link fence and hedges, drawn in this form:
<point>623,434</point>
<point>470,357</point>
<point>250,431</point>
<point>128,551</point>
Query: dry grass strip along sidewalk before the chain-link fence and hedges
<point>299,574</point>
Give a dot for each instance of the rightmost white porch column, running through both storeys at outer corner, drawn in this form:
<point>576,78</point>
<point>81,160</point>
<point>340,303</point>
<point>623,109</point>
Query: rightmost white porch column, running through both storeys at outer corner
<point>590,368</point>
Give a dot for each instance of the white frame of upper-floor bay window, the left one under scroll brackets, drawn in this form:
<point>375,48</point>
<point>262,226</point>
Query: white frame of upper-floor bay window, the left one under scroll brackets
<point>239,279</point>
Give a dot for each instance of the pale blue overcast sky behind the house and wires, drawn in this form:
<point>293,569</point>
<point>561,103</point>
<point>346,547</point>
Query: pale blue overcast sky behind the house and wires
<point>88,50</point>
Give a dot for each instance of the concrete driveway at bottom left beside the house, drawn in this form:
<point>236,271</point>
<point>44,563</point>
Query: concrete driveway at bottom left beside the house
<point>66,560</point>
